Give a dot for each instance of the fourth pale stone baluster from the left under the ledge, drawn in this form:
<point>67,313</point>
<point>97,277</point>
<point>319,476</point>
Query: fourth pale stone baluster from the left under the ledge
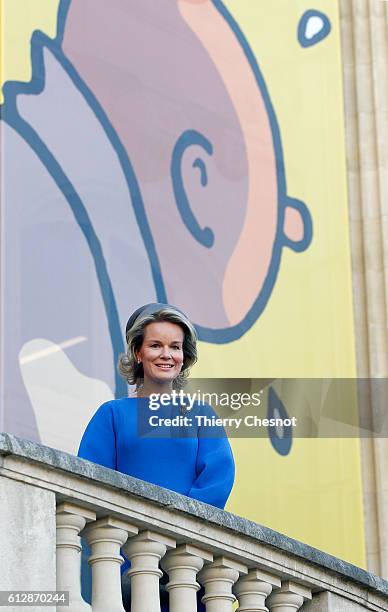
<point>182,566</point>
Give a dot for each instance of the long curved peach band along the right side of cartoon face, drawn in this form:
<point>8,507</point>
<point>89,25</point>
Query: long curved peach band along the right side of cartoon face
<point>249,263</point>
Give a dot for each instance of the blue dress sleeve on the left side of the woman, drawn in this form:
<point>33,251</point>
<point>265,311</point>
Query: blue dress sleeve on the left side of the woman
<point>98,443</point>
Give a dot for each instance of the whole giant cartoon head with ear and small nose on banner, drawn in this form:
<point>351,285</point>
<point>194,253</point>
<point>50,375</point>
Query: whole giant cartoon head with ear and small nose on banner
<point>185,95</point>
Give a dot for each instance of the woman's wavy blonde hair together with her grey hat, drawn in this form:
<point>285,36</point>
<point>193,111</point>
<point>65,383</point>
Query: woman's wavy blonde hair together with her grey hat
<point>133,371</point>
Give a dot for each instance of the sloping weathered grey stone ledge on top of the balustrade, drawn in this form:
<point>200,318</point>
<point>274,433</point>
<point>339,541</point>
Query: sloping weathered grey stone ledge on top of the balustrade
<point>34,452</point>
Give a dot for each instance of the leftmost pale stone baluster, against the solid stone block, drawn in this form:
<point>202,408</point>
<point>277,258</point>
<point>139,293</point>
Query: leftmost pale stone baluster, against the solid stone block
<point>71,519</point>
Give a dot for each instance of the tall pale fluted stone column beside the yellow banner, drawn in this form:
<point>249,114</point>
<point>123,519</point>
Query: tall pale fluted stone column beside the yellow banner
<point>364,36</point>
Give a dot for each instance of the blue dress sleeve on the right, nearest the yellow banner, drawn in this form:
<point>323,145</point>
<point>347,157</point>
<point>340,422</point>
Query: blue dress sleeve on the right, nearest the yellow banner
<point>215,466</point>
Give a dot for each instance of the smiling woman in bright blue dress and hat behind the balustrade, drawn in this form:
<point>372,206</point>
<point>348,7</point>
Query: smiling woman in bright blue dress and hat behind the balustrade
<point>161,348</point>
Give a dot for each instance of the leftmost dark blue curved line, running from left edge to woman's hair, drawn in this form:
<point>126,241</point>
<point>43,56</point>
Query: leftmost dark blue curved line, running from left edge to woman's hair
<point>82,219</point>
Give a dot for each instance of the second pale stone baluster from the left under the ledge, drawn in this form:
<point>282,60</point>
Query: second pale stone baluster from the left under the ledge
<point>105,537</point>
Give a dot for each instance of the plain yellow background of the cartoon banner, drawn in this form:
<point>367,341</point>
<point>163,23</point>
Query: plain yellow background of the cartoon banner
<point>314,494</point>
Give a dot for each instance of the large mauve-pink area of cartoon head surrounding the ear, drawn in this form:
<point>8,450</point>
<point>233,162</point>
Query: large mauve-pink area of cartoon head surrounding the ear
<point>155,81</point>
